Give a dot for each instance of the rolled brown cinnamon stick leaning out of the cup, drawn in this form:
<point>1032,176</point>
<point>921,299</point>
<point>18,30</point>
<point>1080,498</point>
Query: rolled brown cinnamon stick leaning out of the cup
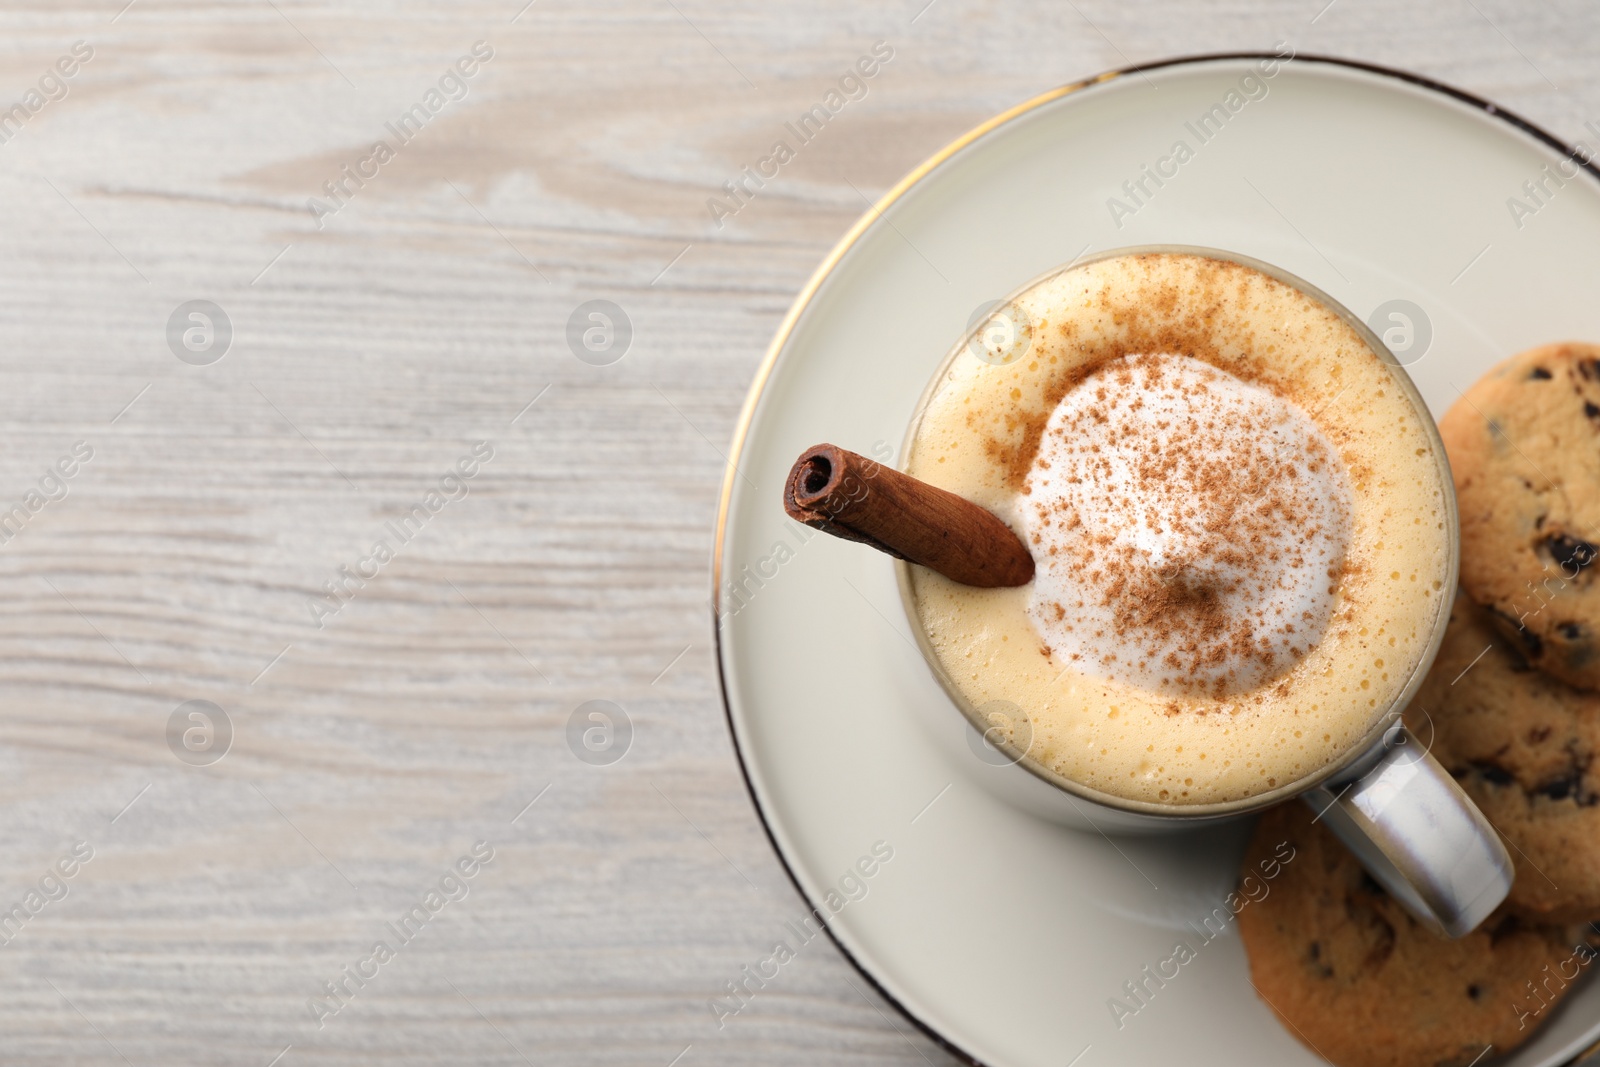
<point>850,497</point>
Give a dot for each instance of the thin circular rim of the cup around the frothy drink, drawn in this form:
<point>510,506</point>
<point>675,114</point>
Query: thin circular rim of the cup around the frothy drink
<point>1351,759</point>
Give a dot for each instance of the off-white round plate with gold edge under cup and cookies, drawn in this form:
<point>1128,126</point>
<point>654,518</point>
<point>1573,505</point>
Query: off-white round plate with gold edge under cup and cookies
<point>1001,933</point>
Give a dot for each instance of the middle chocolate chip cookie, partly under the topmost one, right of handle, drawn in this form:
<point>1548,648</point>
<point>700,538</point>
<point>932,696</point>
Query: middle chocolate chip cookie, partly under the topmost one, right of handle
<point>1522,746</point>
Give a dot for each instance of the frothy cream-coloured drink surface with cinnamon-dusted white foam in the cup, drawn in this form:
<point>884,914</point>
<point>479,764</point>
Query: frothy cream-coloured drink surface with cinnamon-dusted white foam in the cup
<point>1238,518</point>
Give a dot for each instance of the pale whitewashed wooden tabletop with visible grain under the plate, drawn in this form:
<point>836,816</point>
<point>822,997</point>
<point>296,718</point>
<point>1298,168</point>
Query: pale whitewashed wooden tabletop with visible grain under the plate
<point>369,356</point>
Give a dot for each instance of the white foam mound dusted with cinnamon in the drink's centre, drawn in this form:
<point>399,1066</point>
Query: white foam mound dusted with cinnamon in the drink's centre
<point>1191,529</point>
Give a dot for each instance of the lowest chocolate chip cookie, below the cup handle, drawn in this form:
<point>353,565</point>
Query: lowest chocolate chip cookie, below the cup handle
<point>1364,985</point>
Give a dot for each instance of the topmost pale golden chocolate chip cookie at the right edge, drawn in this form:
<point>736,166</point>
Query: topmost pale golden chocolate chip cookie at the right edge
<point>1524,444</point>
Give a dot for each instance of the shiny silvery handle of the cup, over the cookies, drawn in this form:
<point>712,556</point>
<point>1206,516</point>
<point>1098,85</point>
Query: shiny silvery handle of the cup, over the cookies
<point>1418,836</point>
